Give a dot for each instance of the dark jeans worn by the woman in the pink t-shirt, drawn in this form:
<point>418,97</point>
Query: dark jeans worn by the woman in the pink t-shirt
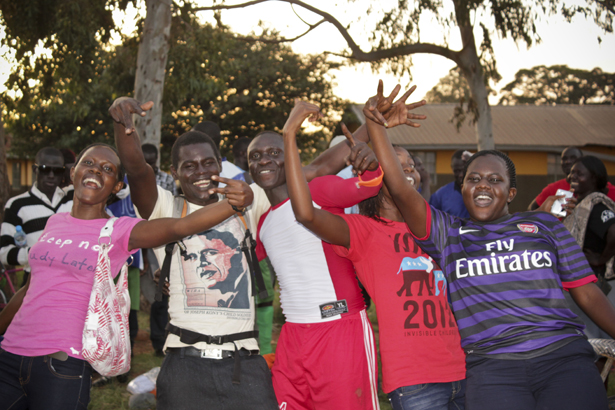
<point>43,383</point>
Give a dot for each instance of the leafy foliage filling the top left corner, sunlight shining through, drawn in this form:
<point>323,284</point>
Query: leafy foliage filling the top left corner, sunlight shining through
<point>69,33</point>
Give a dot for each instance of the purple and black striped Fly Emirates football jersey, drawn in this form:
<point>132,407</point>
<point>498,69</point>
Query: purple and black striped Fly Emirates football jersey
<point>506,279</point>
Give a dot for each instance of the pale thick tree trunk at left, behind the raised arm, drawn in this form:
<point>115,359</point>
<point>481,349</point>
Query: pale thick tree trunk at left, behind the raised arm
<point>151,64</point>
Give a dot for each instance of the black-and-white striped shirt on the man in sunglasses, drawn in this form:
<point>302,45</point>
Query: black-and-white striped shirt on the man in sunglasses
<point>30,210</point>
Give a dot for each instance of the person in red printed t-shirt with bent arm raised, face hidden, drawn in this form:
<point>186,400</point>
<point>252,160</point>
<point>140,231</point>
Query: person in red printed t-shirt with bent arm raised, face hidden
<point>423,365</point>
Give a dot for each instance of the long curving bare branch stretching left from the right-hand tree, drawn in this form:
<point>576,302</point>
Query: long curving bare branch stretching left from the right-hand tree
<point>356,52</point>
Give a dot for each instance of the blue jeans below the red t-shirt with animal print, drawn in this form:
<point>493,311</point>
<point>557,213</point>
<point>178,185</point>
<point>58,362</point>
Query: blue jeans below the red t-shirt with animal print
<point>430,396</point>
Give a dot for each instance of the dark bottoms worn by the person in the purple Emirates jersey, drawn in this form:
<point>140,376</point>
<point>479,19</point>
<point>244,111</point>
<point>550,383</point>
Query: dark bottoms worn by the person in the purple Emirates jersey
<point>565,379</point>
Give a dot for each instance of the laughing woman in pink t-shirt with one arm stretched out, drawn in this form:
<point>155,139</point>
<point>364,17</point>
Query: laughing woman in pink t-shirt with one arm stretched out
<point>41,366</point>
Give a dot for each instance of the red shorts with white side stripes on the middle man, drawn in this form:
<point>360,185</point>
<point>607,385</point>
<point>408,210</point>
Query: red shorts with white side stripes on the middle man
<point>325,366</point>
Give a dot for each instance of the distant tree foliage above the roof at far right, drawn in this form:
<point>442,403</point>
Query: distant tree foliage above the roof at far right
<point>559,84</point>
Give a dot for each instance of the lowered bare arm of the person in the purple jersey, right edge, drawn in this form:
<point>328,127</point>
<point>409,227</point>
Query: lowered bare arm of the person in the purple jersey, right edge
<point>593,302</point>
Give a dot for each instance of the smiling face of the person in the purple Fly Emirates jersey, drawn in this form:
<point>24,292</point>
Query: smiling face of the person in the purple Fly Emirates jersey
<point>486,189</point>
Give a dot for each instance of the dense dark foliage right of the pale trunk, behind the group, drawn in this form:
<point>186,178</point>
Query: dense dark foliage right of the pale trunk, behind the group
<point>245,87</point>
